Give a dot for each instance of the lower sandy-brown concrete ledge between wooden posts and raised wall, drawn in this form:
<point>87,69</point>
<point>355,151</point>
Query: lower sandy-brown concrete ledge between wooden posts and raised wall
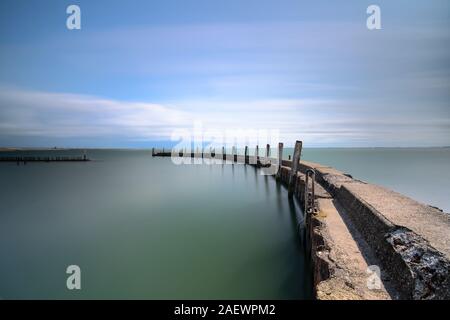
<point>350,257</point>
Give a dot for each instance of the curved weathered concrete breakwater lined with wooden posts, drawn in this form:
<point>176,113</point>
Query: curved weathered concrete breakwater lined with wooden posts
<point>353,226</point>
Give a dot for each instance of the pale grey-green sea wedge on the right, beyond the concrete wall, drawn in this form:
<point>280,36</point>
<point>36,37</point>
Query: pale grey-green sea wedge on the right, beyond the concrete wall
<point>420,173</point>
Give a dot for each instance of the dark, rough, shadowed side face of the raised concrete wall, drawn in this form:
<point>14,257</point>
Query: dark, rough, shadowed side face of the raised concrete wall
<point>418,269</point>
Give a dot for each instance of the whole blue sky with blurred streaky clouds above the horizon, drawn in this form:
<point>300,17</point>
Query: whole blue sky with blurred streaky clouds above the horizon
<point>137,71</point>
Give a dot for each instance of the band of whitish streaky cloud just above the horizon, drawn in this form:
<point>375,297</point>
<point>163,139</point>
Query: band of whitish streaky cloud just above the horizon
<point>52,116</point>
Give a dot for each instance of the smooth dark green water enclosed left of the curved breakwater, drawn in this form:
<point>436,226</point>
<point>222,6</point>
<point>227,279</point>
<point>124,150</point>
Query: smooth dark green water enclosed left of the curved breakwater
<point>141,227</point>
